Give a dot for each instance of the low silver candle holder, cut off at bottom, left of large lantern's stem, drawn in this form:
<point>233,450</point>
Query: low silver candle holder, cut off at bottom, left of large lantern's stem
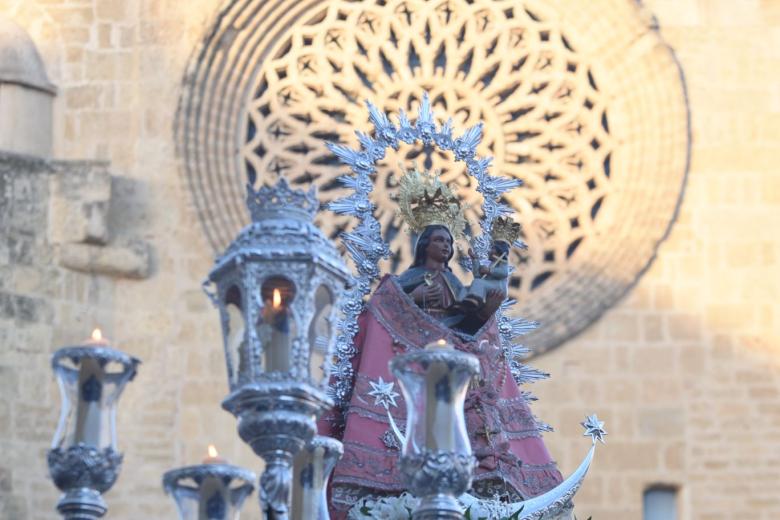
<point>213,490</point>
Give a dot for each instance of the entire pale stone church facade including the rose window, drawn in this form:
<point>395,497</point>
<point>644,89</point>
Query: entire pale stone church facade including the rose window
<point>113,201</point>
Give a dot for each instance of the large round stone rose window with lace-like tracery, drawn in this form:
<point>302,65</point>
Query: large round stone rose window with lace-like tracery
<point>584,103</point>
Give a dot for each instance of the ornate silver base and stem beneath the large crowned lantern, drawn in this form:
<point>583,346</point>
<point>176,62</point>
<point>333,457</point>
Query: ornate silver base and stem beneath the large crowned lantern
<point>276,420</point>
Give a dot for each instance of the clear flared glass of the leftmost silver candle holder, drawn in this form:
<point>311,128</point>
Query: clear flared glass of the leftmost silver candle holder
<point>90,388</point>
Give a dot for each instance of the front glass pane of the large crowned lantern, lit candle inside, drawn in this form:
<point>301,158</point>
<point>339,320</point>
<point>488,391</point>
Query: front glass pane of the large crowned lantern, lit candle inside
<point>276,326</point>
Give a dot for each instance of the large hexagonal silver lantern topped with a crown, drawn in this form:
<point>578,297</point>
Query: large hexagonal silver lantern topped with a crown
<point>277,287</point>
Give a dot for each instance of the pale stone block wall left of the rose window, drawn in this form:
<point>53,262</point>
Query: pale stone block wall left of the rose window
<point>118,66</point>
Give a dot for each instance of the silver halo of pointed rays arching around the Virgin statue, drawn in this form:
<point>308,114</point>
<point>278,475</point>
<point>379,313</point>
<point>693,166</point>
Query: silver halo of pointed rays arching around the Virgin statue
<point>366,246</point>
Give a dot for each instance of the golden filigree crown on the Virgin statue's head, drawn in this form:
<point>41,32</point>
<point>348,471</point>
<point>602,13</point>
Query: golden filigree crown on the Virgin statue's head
<point>423,200</point>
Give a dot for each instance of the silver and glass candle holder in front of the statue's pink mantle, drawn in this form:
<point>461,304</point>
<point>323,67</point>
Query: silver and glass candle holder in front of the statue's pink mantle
<point>436,459</point>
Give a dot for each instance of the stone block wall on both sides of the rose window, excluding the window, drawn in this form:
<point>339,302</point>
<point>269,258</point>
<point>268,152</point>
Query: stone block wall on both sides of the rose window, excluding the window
<point>685,370</point>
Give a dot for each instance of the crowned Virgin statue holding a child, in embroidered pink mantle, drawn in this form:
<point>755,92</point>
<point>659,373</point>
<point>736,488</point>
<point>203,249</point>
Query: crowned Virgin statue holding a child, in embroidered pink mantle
<point>425,303</point>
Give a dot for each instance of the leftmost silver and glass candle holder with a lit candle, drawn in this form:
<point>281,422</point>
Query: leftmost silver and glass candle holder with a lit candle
<point>83,460</point>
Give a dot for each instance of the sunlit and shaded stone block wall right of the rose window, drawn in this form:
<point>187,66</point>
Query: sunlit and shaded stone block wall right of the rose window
<point>686,370</point>
